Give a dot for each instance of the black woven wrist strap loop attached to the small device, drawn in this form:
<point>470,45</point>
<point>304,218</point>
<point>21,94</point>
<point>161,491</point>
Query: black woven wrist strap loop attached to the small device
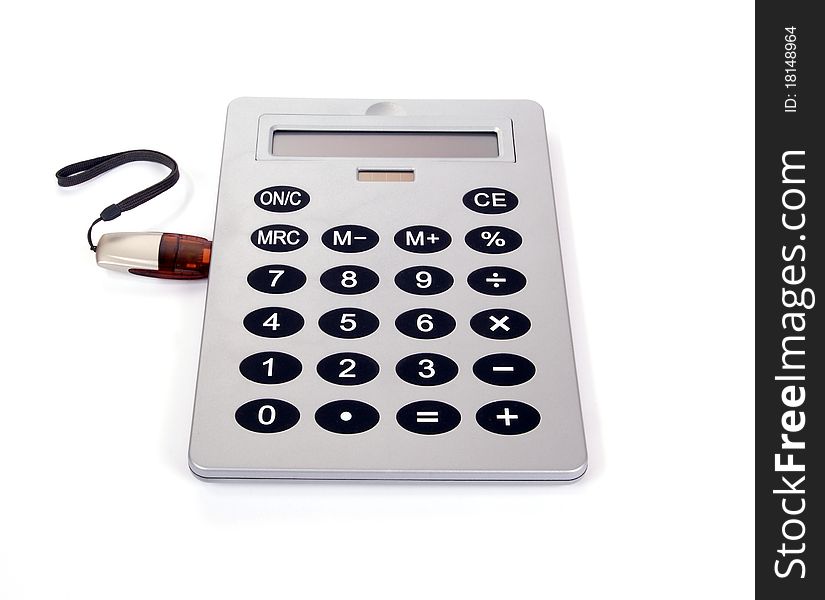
<point>83,171</point>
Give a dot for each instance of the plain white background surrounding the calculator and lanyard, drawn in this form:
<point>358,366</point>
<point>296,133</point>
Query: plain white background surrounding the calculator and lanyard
<point>650,112</point>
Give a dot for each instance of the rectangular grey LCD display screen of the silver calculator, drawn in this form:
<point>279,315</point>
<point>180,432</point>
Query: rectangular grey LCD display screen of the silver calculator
<point>386,144</point>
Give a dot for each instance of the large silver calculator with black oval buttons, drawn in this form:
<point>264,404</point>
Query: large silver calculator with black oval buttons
<point>386,297</point>
